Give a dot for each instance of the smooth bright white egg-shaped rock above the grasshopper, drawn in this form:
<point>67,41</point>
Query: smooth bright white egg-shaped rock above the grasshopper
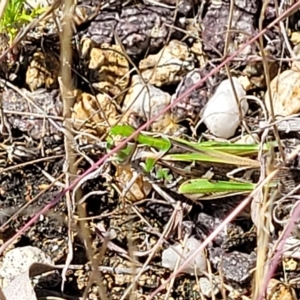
<point>221,113</point>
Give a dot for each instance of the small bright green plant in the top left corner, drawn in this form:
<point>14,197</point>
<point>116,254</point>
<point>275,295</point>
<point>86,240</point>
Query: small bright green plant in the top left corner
<point>16,16</point>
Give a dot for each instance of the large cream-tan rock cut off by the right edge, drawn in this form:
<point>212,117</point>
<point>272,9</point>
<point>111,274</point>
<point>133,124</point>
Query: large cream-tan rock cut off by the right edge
<point>285,91</point>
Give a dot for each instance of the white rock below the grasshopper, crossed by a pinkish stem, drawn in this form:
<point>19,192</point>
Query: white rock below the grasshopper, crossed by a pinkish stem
<point>170,257</point>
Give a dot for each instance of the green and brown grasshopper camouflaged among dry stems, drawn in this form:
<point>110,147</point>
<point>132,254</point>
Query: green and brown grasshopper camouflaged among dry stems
<point>204,152</point>
